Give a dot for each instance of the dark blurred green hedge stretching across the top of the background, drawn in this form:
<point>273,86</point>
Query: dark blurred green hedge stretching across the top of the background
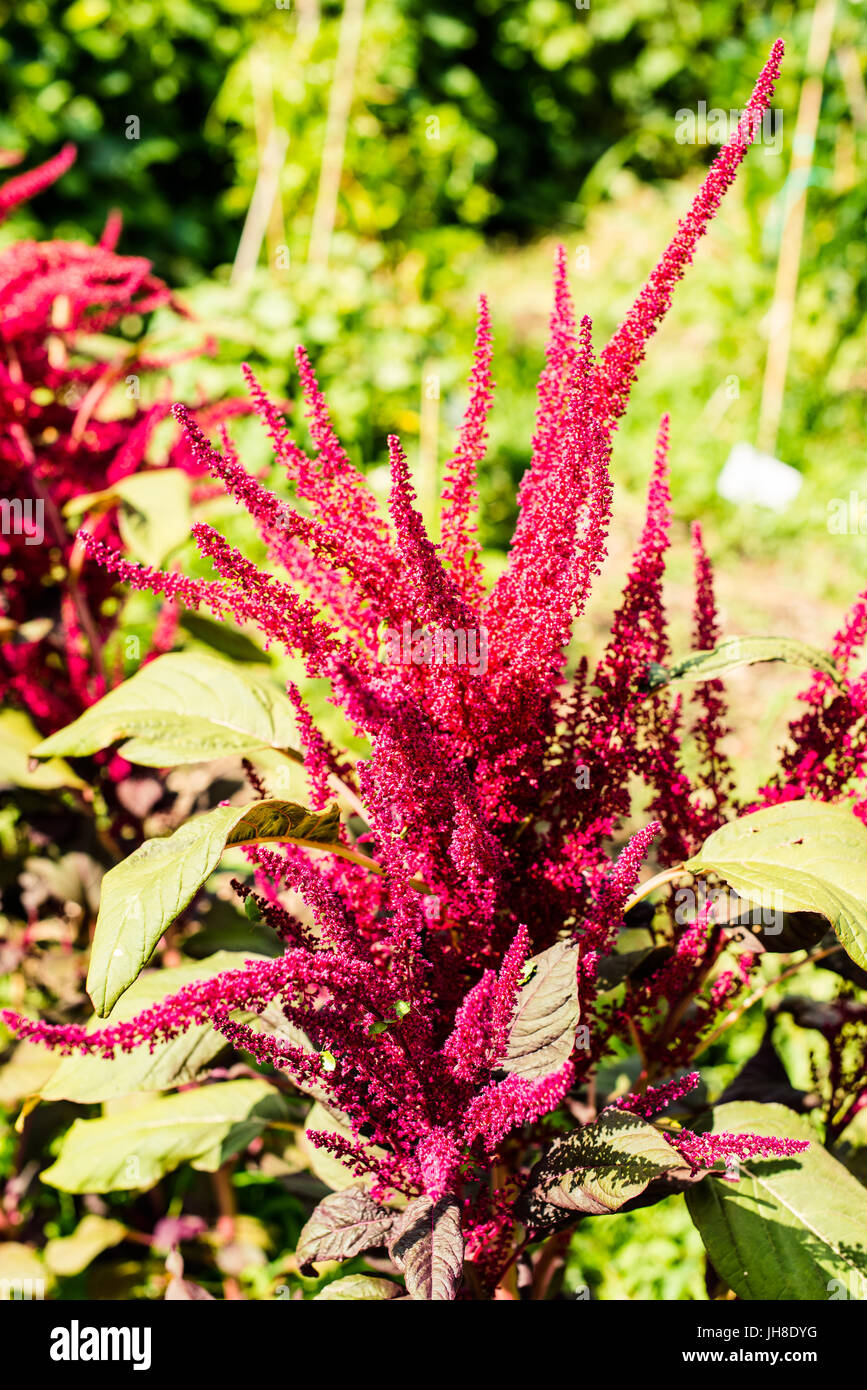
<point>501,116</point>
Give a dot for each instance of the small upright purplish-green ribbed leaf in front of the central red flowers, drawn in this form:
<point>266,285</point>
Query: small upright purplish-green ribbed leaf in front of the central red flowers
<point>548,1013</point>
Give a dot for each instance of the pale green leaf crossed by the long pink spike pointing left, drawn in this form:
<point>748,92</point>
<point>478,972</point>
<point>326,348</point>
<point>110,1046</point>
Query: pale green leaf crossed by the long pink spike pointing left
<point>88,1079</point>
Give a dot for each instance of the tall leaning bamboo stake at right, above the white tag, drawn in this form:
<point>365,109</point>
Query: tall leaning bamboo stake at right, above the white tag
<point>786,288</point>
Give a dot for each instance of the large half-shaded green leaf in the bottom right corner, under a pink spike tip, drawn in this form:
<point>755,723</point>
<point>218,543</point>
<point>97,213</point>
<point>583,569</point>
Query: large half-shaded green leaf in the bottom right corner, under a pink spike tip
<point>790,1229</point>
